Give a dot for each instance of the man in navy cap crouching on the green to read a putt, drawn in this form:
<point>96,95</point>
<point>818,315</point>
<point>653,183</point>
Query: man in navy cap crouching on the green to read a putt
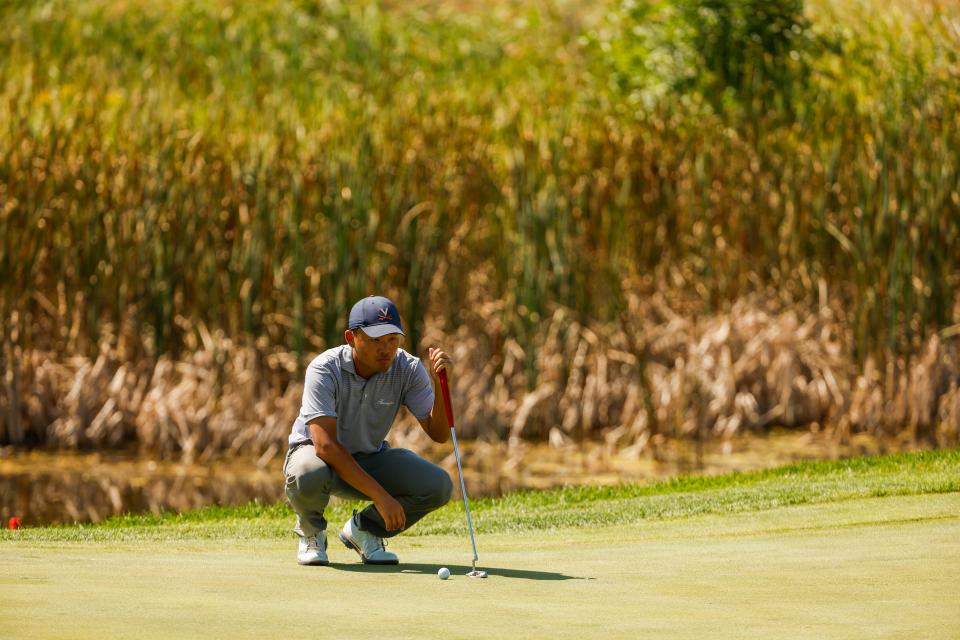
<point>351,396</point>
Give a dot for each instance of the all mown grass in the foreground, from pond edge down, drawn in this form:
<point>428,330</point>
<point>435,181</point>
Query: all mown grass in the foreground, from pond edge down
<point>874,566</point>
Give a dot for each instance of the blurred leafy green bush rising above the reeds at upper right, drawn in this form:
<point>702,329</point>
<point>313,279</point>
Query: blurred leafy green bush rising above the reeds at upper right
<point>709,56</point>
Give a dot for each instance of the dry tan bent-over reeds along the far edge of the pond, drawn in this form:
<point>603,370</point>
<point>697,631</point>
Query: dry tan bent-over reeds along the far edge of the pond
<point>658,375</point>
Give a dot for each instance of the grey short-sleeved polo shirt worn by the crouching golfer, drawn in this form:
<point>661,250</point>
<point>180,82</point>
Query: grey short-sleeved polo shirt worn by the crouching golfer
<point>364,408</point>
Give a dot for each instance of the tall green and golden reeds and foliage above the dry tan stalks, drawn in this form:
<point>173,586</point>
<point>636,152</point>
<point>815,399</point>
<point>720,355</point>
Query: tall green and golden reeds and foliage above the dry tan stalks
<point>177,172</point>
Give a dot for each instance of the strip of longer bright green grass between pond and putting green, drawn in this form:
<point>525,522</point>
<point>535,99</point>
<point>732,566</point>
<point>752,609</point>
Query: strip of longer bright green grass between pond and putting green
<point>685,497</point>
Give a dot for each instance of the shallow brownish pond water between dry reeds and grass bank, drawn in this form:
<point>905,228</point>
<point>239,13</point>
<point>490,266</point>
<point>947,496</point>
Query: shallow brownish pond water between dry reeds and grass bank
<point>46,487</point>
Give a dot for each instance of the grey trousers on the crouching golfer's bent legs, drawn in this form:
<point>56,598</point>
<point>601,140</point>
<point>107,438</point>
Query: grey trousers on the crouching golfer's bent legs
<point>417,484</point>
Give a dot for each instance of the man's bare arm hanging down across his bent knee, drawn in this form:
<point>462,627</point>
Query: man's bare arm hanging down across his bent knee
<point>323,432</point>
